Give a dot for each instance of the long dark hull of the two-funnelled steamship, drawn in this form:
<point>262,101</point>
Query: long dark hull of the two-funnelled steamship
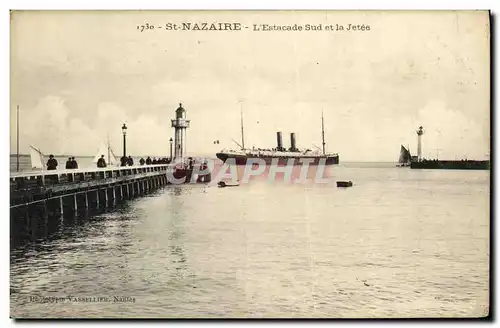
<point>243,159</point>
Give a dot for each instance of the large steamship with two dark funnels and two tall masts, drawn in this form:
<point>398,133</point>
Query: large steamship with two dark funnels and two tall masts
<point>280,155</point>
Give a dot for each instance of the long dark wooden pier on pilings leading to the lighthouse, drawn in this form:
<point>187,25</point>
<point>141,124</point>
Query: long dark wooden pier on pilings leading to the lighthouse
<point>37,196</point>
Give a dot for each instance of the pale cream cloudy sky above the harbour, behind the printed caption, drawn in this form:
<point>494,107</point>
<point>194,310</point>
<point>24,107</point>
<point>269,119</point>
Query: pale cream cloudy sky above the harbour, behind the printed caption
<point>78,76</point>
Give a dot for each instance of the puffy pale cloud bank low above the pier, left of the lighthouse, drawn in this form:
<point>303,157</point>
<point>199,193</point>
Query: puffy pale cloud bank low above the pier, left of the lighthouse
<point>50,128</point>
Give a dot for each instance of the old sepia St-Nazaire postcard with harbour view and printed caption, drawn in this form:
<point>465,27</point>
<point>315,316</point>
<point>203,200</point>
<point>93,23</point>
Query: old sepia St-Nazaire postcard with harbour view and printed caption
<point>250,164</point>
